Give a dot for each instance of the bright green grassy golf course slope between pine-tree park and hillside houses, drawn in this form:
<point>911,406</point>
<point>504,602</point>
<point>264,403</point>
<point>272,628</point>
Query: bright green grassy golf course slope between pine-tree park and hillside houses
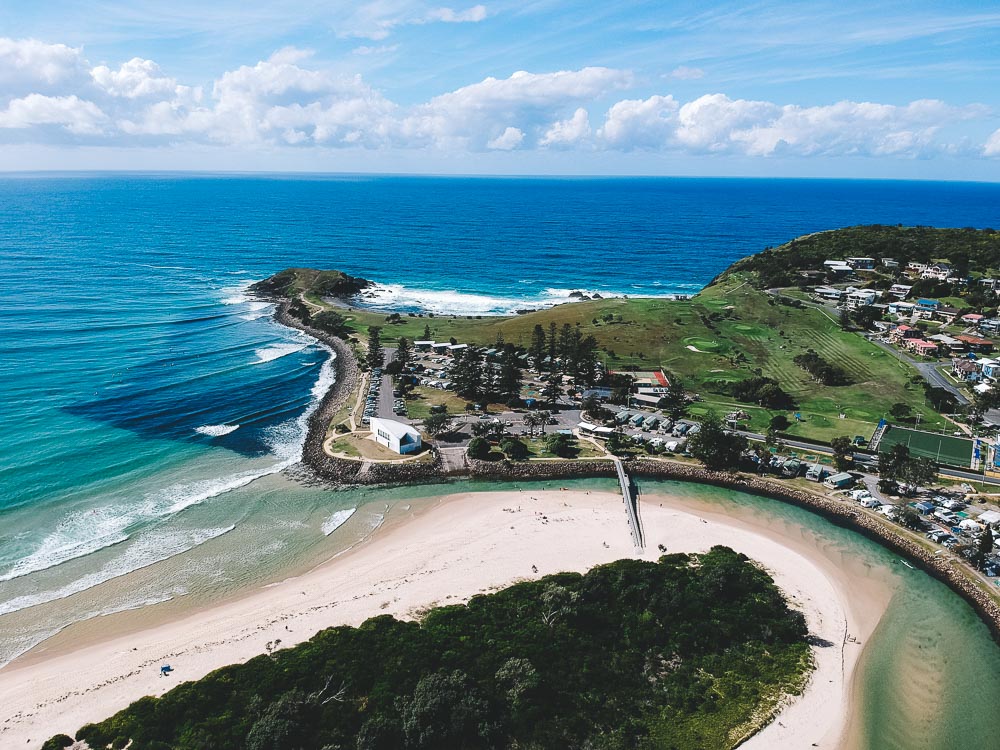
<point>738,332</point>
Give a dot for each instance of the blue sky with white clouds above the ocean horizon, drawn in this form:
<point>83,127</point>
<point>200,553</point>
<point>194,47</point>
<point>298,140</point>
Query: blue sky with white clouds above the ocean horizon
<point>843,89</point>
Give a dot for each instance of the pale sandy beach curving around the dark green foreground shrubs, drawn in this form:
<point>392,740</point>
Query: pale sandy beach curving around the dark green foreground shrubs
<point>461,546</point>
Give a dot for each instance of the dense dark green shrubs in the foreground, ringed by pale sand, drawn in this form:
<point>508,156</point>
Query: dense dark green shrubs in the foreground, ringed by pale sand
<point>675,654</point>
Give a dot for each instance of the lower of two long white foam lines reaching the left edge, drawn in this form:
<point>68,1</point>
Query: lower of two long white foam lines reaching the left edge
<point>147,549</point>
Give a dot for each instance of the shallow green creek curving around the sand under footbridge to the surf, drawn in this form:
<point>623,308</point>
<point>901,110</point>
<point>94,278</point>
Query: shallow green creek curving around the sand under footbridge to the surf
<point>910,689</point>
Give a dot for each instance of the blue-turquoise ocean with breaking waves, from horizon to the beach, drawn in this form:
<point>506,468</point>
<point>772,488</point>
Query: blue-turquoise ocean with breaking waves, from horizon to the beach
<point>150,406</point>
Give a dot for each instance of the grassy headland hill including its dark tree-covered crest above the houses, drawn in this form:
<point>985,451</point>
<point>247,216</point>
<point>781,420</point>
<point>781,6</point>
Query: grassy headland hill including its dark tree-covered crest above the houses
<point>733,330</point>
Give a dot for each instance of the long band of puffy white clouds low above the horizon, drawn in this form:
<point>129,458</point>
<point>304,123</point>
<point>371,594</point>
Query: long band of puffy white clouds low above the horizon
<point>289,100</point>
